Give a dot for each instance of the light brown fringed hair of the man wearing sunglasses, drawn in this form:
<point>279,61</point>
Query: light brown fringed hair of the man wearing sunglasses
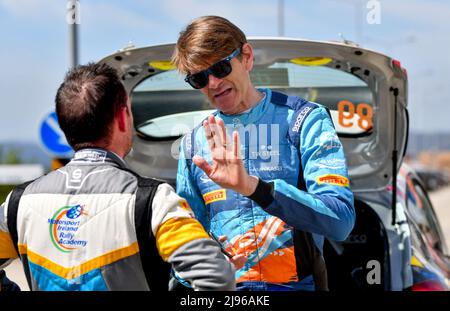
<point>205,40</point>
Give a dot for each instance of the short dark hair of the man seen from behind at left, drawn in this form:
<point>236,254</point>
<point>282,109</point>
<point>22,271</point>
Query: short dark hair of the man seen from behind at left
<point>86,103</point>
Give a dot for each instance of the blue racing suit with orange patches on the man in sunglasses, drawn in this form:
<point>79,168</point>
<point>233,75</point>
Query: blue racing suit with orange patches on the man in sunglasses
<point>303,194</point>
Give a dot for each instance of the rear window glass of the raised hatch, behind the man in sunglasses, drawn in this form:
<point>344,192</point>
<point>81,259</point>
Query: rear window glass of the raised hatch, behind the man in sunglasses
<point>166,107</point>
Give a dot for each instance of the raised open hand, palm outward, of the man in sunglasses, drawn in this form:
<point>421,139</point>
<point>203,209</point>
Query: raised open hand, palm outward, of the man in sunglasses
<point>227,168</point>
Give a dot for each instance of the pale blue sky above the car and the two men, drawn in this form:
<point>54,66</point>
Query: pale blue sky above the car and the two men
<point>34,43</point>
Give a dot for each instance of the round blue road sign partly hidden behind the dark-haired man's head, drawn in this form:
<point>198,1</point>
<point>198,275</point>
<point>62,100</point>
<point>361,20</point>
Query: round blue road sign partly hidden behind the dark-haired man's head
<point>52,137</point>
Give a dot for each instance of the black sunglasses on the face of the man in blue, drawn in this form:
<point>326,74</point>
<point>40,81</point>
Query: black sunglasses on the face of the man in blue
<point>220,70</point>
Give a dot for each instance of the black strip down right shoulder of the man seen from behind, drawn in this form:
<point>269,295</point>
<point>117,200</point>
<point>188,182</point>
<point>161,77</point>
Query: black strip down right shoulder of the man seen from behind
<point>157,272</point>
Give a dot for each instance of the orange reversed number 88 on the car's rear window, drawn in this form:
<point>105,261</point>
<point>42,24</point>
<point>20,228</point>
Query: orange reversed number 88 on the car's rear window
<point>346,111</point>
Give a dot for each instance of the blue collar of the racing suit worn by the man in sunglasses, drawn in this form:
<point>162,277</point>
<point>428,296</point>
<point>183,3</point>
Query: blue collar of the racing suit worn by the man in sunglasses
<point>251,116</point>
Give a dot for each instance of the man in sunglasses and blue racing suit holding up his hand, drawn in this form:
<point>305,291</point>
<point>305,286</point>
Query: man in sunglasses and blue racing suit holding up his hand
<point>267,190</point>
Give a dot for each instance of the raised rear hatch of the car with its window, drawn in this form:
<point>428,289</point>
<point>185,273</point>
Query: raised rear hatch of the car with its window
<point>365,91</point>
